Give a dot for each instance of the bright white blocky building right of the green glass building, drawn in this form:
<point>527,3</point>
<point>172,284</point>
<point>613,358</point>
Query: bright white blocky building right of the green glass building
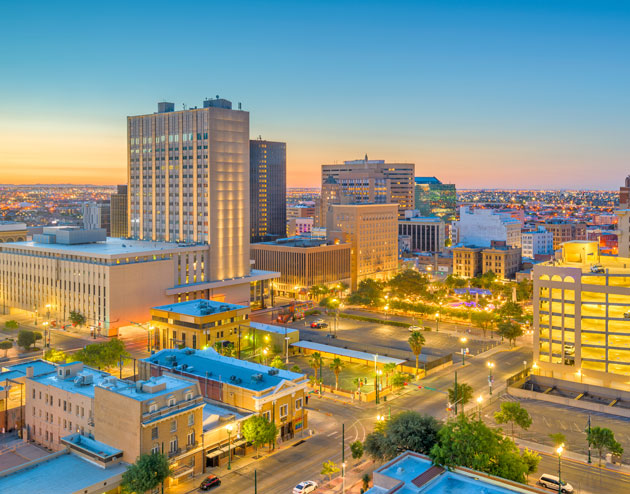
<point>479,227</point>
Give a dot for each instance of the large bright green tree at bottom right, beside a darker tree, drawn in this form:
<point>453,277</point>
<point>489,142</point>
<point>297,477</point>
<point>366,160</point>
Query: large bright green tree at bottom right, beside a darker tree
<point>471,443</point>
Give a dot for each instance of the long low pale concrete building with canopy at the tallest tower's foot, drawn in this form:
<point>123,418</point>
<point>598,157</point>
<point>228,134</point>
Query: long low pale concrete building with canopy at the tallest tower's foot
<point>112,282</point>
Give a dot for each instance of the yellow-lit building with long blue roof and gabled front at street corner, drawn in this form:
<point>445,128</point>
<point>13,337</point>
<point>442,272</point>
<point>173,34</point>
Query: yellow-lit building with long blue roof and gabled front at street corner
<point>276,394</point>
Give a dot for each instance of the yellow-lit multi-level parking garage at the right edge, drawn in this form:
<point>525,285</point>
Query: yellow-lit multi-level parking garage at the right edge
<point>581,316</point>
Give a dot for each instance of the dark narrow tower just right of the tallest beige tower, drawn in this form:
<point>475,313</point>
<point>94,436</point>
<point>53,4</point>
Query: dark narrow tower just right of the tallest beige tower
<point>267,189</point>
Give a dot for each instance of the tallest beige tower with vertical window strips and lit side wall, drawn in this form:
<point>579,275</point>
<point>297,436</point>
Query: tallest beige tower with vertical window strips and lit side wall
<point>189,181</point>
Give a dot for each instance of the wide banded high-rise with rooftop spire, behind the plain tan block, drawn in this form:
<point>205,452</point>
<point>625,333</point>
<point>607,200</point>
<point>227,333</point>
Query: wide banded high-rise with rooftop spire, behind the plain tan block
<point>373,181</point>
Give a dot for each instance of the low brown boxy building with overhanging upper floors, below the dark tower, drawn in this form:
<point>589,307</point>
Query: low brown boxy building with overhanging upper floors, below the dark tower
<point>303,263</point>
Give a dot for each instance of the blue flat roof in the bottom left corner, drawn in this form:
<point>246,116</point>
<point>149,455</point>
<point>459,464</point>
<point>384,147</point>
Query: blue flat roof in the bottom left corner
<point>65,474</point>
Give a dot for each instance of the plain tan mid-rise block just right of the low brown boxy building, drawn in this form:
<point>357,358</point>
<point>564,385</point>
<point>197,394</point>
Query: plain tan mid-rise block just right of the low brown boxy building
<point>372,232</point>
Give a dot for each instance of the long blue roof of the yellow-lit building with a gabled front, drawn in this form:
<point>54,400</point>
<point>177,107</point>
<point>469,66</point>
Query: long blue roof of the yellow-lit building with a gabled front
<point>222,369</point>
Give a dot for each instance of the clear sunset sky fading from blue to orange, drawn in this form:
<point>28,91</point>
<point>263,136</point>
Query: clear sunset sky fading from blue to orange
<point>514,94</point>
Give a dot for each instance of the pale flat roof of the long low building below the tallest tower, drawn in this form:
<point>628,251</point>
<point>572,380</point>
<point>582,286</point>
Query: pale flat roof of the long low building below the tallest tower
<point>112,247</point>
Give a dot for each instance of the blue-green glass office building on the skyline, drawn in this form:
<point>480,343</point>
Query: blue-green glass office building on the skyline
<point>433,198</point>
